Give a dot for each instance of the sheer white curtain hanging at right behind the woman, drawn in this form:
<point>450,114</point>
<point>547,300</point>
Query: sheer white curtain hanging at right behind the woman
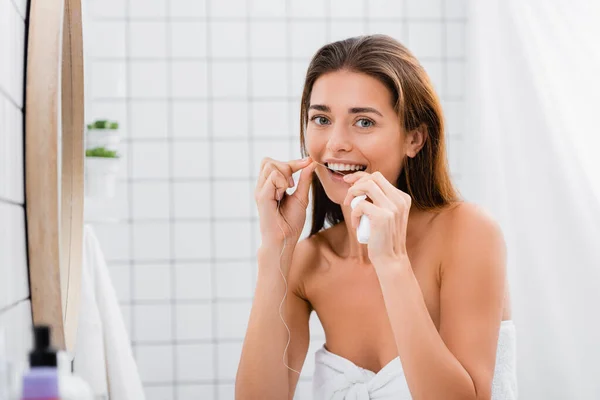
<point>532,157</point>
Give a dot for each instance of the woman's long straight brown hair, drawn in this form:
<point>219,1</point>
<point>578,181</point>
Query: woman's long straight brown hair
<point>426,177</point>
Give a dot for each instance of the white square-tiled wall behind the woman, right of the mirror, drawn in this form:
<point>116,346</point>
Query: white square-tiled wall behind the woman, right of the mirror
<point>204,89</point>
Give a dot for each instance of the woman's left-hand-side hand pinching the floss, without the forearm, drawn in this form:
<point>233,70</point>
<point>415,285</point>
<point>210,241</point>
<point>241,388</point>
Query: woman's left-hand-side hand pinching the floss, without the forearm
<point>273,180</point>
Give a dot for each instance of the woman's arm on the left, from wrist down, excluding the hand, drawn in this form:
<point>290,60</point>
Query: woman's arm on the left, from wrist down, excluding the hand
<point>262,373</point>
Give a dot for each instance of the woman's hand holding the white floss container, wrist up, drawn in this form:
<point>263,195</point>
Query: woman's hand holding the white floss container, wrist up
<point>388,214</point>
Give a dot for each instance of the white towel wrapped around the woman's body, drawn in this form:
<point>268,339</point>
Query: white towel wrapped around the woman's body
<point>337,378</point>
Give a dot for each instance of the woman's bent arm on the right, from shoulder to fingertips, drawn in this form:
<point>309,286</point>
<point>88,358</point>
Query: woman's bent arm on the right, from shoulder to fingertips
<point>458,361</point>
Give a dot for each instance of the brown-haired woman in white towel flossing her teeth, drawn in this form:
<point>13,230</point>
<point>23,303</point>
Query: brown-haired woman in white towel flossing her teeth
<point>420,311</point>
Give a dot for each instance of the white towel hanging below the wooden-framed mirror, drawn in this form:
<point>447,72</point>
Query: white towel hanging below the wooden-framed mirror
<point>103,354</point>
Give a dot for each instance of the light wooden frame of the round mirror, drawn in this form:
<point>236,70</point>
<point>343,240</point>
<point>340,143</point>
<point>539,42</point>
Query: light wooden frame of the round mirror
<point>55,206</point>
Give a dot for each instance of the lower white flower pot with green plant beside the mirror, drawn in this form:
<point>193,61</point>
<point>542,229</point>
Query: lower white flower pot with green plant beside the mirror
<point>101,176</point>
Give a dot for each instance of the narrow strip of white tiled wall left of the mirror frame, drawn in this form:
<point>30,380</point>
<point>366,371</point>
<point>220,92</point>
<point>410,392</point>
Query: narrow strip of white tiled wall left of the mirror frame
<point>15,308</point>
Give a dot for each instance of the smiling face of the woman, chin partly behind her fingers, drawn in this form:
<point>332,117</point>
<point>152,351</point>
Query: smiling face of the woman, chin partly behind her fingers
<point>351,122</point>
